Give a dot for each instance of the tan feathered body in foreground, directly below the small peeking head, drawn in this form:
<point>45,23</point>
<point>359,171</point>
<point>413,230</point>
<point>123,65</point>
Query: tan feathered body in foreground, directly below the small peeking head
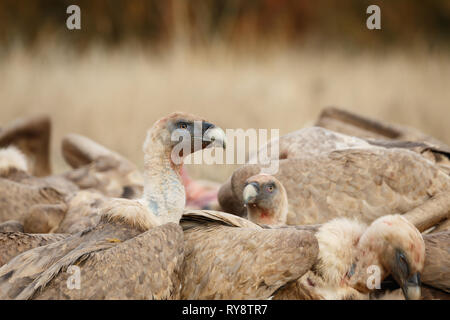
<point>227,257</point>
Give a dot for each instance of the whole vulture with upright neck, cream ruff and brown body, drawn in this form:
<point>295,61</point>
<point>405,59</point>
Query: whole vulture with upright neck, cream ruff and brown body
<point>135,251</point>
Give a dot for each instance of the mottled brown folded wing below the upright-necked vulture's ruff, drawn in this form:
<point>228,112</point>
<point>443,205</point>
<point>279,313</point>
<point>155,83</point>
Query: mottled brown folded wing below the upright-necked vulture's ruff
<point>144,267</point>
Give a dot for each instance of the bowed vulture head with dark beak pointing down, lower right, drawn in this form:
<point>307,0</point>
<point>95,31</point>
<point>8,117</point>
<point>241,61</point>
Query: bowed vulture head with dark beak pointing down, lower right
<point>401,250</point>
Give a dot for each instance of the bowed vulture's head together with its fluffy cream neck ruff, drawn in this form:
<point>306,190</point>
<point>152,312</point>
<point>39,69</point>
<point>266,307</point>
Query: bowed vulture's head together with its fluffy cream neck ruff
<point>352,254</point>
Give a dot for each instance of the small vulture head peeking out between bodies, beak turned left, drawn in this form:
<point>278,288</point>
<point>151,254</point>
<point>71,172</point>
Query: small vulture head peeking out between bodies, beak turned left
<point>265,199</point>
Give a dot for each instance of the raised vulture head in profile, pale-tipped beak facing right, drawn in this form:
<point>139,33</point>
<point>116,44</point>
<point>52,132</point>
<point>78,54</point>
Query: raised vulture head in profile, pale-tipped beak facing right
<point>182,134</point>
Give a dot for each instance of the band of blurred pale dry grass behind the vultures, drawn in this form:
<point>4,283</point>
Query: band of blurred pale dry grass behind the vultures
<point>113,97</point>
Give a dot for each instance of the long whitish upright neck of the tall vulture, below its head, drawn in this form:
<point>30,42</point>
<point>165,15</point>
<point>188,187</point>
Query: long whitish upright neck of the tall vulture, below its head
<point>164,192</point>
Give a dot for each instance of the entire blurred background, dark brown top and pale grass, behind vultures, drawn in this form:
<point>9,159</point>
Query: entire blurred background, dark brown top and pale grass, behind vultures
<point>238,63</point>
